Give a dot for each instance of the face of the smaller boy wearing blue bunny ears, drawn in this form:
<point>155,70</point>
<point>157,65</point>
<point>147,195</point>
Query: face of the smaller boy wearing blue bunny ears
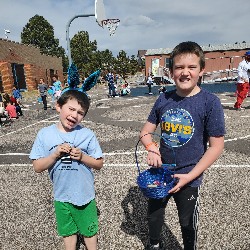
<point>70,115</point>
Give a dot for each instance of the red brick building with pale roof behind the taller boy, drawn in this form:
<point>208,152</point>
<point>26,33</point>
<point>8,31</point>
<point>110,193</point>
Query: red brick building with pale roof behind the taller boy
<point>221,61</point>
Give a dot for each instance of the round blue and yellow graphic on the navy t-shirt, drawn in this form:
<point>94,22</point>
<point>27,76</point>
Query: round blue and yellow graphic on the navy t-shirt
<point>177,127</point>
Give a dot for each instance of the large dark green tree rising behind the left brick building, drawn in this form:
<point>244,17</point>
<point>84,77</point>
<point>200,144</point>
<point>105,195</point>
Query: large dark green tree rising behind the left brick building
<point>40,33</point>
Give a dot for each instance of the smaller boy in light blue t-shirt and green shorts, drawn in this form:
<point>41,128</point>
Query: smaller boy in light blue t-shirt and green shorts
<point>70,154</point>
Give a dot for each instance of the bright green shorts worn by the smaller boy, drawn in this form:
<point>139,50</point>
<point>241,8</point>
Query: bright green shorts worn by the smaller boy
<point>73,219</point>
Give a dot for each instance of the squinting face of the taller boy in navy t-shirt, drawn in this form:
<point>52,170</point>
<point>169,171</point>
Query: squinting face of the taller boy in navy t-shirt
<point>186,74</point>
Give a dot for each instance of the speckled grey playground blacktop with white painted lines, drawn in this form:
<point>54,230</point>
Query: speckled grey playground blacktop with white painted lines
<point>27,215</point>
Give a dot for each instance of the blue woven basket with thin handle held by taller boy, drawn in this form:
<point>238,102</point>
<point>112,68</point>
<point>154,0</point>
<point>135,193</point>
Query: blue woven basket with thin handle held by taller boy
<point>156,182</point>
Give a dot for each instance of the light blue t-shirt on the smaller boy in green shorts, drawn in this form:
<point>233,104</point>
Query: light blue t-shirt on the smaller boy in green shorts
<point>73,181</point>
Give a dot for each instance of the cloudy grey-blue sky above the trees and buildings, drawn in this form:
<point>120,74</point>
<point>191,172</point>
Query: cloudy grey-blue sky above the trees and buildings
<point>144,24</point>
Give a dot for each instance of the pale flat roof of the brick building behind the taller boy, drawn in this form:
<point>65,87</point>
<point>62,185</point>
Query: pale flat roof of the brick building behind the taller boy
<point>206,48</point>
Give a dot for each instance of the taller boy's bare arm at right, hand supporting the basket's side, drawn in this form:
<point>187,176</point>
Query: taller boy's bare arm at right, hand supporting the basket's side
<point>216,145</point>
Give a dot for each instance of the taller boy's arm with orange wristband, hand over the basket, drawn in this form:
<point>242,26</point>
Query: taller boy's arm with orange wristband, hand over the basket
<point>154,156</point>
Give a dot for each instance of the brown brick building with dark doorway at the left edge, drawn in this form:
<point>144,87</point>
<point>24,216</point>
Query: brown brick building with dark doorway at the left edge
<point>22,65</point>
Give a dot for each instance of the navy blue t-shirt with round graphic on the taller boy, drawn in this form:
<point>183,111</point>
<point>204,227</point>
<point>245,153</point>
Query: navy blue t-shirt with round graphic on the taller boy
<point>186,124</point>
